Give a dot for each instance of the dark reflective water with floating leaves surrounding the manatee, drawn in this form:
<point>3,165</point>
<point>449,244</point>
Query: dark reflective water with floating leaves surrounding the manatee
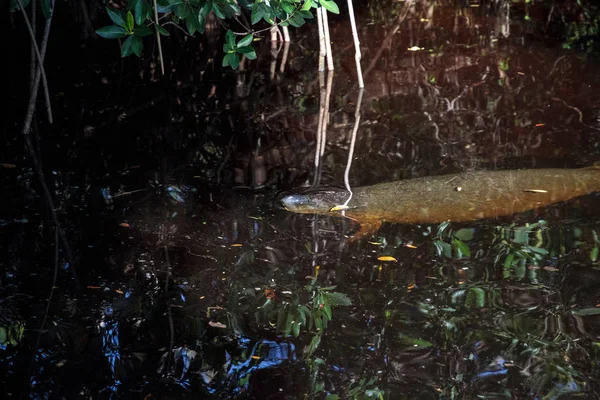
<point>195,283</point>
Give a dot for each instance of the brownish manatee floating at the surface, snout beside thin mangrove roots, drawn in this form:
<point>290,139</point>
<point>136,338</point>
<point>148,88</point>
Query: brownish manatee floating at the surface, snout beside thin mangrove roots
<point>456,197</point>
